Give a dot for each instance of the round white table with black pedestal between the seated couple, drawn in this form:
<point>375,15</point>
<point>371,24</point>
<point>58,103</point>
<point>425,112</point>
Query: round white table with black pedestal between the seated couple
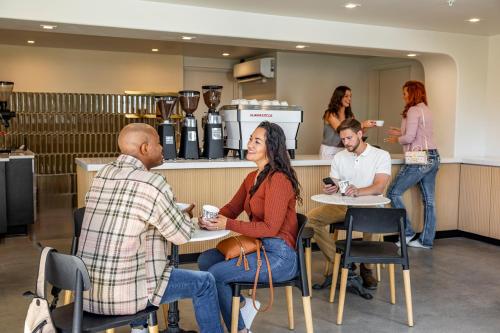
<point>199,235</point>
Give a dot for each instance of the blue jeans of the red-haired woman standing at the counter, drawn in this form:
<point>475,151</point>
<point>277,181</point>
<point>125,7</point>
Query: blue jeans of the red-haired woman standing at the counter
<point>425,177</point>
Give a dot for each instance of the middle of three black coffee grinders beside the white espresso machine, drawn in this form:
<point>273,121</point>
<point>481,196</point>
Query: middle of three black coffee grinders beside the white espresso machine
<point>189,148</point>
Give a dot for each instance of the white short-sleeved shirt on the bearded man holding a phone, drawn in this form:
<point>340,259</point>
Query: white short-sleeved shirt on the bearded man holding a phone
<point>360,170</point>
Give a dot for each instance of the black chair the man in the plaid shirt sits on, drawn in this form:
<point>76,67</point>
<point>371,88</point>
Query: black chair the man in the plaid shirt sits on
<point>69,272</point>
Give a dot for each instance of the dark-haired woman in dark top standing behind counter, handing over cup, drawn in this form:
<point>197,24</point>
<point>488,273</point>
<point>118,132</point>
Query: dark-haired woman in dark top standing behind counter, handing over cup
<point>338,110</point>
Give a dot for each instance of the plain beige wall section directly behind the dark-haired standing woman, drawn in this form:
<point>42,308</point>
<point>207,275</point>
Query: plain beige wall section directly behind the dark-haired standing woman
<point>309,80</point>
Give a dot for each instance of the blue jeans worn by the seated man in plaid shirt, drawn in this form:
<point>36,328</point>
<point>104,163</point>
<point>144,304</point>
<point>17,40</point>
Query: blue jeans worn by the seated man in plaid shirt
<point>200,286</point>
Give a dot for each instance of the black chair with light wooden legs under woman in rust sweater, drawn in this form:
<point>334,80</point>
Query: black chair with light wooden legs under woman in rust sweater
<point>301,281</point>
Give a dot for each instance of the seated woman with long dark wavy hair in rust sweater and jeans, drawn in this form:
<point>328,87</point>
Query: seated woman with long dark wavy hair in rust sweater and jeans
<point>268,196</point>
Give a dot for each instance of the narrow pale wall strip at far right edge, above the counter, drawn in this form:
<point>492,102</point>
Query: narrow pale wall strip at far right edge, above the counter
<point>493,98</point>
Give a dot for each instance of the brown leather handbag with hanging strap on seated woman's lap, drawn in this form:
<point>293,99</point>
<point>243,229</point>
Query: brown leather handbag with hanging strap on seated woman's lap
<point>241,246</point>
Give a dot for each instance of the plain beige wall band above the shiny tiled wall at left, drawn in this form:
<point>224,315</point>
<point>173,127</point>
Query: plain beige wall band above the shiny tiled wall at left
<point>43,69</point>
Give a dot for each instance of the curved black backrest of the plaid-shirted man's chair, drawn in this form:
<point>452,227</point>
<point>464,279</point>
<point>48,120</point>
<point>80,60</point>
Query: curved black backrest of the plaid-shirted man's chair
<point>63,271</point>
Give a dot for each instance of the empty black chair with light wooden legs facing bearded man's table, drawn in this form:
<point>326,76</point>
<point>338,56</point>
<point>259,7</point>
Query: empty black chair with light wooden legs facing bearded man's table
<point>374,220</point>
